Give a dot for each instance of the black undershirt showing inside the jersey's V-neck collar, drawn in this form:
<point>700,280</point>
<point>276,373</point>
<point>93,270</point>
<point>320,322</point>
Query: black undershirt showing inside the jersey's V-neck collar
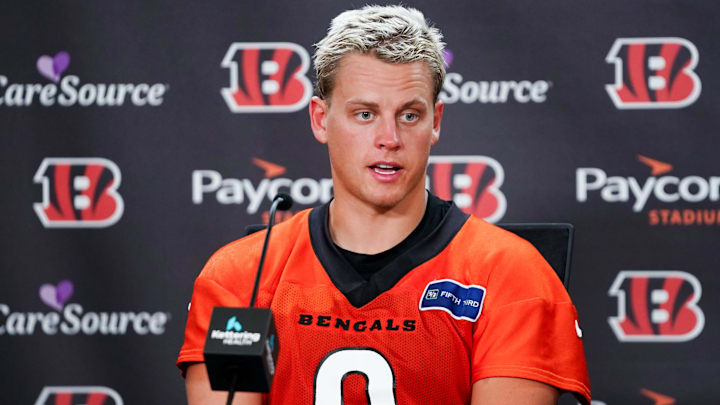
<point>367,265</point>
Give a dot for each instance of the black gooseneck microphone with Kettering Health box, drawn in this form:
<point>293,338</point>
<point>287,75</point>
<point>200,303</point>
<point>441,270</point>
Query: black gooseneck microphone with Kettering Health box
<point>241,346</point>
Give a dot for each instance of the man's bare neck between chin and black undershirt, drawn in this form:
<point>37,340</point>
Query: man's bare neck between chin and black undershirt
<point>360,228</point>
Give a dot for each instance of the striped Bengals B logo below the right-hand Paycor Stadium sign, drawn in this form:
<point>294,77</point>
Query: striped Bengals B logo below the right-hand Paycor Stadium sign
<point>656,306</point>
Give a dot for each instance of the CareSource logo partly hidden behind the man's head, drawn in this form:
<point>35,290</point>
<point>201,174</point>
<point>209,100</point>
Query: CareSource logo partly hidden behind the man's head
<point>457,89</point>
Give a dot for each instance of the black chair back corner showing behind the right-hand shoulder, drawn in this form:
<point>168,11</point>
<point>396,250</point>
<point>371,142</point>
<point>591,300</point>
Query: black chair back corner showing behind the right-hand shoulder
<point>553,241</point>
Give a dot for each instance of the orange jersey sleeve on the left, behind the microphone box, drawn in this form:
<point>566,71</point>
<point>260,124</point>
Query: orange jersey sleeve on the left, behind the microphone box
<point>226,280</point>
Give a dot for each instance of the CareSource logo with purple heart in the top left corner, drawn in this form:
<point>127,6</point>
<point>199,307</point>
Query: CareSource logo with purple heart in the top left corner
<point>69,90</point>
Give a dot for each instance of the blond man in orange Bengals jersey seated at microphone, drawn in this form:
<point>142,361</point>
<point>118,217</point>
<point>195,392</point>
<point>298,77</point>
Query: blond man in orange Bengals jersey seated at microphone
<point>387,294</point>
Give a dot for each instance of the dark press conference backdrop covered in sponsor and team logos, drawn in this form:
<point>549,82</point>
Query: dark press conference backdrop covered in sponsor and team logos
<point>139,137</point>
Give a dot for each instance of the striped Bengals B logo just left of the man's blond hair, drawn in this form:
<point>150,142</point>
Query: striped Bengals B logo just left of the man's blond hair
<point>266,77</point>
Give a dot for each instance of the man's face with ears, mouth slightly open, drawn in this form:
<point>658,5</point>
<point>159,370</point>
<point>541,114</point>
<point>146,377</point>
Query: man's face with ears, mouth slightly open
<point>379,126</point>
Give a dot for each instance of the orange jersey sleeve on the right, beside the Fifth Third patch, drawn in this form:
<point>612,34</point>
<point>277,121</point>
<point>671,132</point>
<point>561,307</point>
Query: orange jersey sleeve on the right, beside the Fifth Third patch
<point>529,326</point>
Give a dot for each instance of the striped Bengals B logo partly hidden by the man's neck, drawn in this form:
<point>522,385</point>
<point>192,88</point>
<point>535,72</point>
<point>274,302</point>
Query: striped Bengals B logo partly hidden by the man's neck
<point>471,182</point>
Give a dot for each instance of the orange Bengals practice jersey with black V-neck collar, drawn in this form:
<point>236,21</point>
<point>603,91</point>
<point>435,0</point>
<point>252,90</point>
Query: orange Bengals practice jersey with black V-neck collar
<point>470,301</point>
